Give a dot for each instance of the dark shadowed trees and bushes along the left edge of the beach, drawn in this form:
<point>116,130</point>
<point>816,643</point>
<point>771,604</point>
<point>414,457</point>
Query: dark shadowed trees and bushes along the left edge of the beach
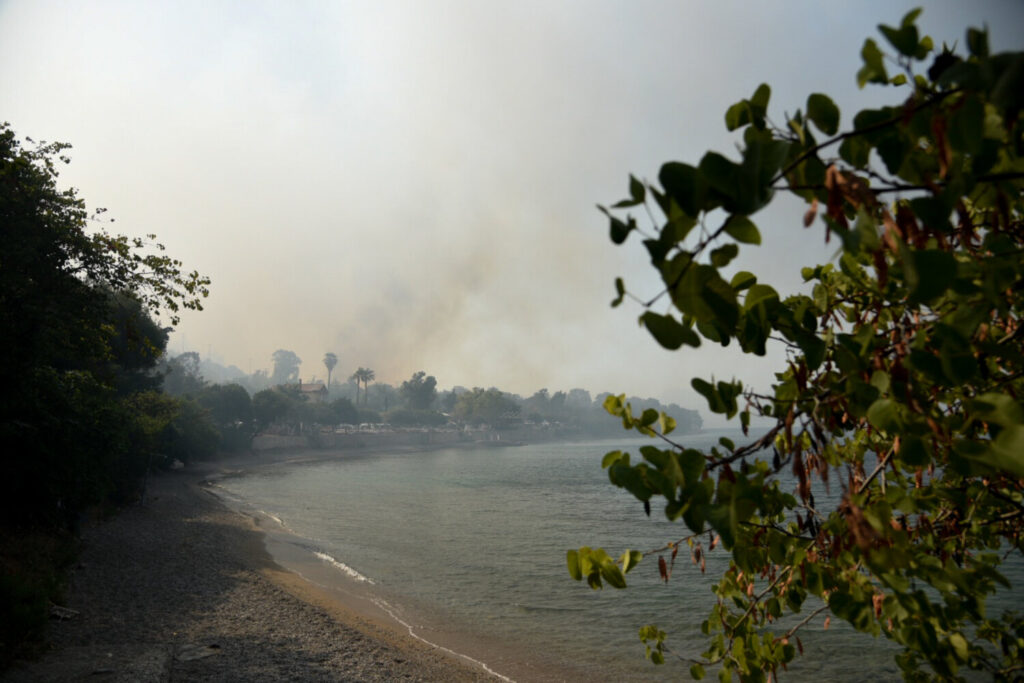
<point>82,421</point>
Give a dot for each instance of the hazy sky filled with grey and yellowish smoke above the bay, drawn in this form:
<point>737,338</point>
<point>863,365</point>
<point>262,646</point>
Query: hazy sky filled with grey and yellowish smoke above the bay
<point>412,186</point>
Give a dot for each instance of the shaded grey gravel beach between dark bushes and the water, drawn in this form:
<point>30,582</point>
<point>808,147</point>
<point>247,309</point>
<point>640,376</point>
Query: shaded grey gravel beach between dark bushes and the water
<point>182,589</point>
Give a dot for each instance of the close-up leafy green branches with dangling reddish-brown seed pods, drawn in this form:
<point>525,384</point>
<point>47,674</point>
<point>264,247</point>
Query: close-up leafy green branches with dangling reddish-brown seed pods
<point>904,377</point>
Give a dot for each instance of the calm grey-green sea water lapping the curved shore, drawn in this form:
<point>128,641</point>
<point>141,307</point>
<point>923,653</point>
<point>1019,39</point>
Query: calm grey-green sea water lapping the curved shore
<point>467,548</point>
